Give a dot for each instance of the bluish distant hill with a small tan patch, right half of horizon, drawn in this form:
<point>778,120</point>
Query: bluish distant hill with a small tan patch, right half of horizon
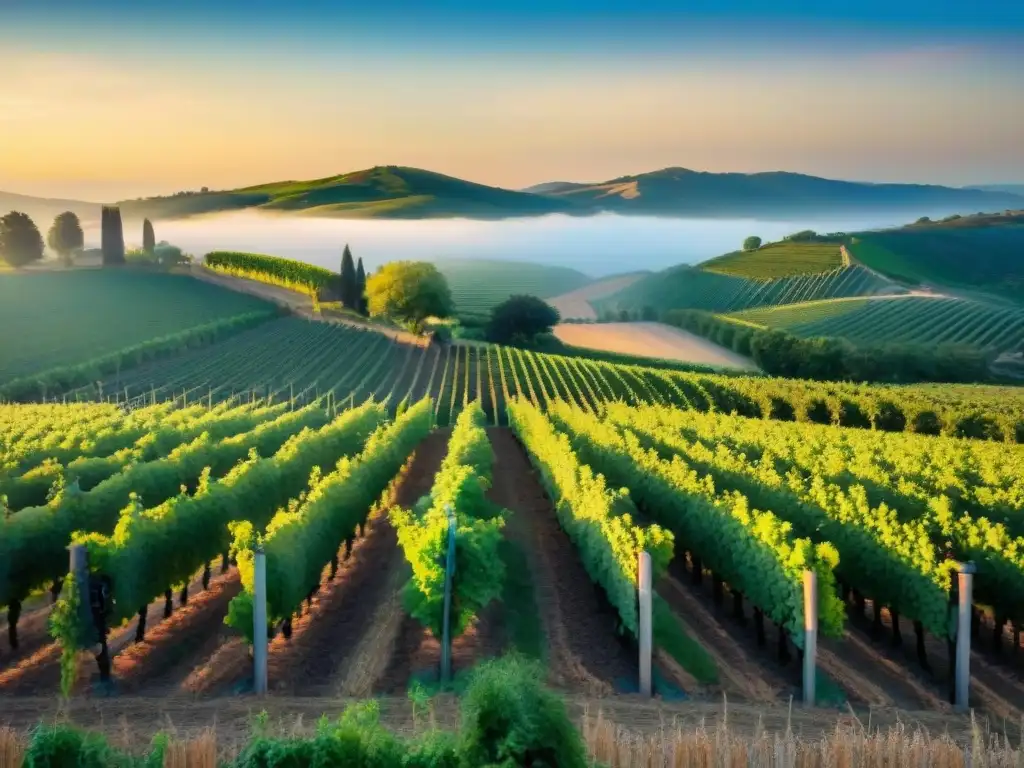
<point>682,192</point>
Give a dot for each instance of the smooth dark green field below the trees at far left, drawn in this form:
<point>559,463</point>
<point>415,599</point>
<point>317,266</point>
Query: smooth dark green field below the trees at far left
<point>60,319</point>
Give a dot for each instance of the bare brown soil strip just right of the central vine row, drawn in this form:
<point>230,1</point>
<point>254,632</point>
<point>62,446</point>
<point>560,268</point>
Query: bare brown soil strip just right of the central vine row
<point>584,653</point>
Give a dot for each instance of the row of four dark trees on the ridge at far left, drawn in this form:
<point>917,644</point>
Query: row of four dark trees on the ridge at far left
<point>22,243</point>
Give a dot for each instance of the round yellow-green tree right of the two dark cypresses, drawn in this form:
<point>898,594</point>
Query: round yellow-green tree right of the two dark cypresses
<point>409,292</point>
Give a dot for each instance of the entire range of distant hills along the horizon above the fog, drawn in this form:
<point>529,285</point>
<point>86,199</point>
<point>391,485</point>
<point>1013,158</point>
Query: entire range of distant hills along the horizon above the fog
<point>403,193</point>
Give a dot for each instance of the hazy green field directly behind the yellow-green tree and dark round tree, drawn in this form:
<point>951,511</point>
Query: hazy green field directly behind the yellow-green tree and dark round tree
<point>479,285</point>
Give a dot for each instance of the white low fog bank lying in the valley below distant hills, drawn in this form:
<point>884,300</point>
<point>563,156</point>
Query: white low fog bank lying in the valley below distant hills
<point>598,245</point>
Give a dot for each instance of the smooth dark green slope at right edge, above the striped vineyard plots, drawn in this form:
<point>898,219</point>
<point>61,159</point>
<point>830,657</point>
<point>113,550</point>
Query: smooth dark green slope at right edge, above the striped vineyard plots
<point>982,258</point>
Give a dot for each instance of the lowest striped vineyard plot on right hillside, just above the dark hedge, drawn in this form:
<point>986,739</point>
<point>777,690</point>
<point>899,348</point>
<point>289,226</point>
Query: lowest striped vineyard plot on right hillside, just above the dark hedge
<point>915,320</point>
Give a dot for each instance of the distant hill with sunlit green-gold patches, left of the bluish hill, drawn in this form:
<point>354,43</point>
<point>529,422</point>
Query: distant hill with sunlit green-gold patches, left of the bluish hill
<point>383,192</point>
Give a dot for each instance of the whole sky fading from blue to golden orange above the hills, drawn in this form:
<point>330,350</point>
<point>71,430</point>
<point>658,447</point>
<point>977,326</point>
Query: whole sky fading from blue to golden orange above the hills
<point>104,101</point>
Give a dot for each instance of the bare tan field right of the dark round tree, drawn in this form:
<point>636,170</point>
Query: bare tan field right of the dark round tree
<point>652,340</point>
